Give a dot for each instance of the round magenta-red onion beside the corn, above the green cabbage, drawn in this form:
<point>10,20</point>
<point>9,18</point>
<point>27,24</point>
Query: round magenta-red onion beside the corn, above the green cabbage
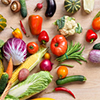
<point>46,65</point>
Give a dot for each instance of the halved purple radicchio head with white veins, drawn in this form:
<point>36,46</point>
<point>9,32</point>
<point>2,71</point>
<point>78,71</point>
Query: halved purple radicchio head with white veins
<point>15,48</point>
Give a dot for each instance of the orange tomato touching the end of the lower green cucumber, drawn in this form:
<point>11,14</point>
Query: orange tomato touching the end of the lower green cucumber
<point>62,72</point>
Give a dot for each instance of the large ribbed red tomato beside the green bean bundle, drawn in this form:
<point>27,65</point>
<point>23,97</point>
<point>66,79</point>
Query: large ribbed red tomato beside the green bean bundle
<point>58,45</point>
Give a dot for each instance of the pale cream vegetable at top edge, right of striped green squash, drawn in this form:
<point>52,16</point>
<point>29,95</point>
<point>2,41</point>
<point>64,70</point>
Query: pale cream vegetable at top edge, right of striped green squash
<point>88,5</point>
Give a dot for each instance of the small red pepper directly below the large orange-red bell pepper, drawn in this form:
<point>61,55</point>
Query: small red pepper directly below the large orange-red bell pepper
<point>43,37</point>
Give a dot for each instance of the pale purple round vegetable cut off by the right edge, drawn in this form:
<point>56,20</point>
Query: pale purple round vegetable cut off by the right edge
<point>94,56</point>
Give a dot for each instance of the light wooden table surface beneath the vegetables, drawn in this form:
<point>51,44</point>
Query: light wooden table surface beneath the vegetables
<point>89,90</point>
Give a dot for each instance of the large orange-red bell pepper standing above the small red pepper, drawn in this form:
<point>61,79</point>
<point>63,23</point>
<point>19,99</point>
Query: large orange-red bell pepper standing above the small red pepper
<point>35,24</point>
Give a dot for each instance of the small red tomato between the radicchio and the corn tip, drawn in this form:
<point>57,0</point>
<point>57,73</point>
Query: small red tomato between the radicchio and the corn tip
<point>32,47</point>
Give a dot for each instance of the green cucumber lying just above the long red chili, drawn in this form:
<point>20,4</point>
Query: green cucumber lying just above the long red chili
<point>70,79</point>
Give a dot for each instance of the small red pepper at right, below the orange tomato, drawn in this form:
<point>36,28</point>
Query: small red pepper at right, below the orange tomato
<point>91,36</point>
